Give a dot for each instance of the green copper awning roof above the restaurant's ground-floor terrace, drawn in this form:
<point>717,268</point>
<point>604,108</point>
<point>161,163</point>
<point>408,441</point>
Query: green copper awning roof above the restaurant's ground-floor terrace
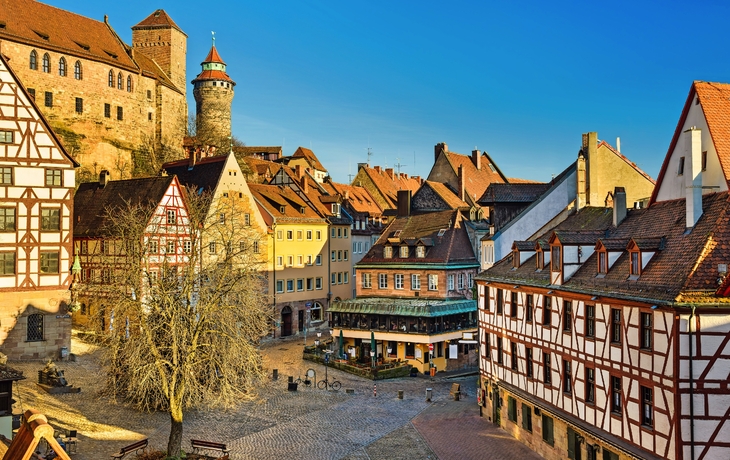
<point>404,307</point>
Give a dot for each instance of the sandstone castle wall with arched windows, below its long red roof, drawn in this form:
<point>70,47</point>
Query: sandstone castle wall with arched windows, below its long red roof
<point>96,140</point>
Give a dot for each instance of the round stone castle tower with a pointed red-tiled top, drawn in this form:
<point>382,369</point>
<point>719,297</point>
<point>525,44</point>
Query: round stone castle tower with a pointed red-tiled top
<point>213,91</point>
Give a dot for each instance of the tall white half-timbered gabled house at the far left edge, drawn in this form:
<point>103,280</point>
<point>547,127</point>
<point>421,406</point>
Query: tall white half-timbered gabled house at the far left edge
<point>37,178</point>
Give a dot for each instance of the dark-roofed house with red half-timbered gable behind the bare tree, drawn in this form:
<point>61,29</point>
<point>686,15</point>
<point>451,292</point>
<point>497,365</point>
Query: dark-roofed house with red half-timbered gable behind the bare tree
<point>166,242</point>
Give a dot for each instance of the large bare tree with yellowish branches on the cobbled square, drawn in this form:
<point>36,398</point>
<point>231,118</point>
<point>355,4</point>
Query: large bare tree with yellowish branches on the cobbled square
<point>184,336</point>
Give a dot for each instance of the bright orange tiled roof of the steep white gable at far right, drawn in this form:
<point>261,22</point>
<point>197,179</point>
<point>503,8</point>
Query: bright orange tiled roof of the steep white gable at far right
<point>714,99</point>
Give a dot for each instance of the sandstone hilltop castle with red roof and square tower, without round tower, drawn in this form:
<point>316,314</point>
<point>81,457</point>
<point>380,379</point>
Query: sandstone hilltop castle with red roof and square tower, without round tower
<point>115,106</point>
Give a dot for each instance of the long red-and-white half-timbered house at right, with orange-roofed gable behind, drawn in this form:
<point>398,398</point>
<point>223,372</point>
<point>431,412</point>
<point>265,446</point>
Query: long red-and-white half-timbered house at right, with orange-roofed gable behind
<point>608,337</point>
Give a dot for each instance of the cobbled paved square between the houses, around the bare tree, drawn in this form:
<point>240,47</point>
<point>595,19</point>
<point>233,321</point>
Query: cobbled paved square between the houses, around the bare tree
<point>306,424</point>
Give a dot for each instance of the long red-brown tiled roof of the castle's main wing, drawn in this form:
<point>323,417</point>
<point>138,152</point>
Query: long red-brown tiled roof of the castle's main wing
<point>37,24</point>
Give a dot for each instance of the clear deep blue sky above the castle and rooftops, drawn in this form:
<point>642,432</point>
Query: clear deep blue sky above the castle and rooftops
<point>520,79</point>
